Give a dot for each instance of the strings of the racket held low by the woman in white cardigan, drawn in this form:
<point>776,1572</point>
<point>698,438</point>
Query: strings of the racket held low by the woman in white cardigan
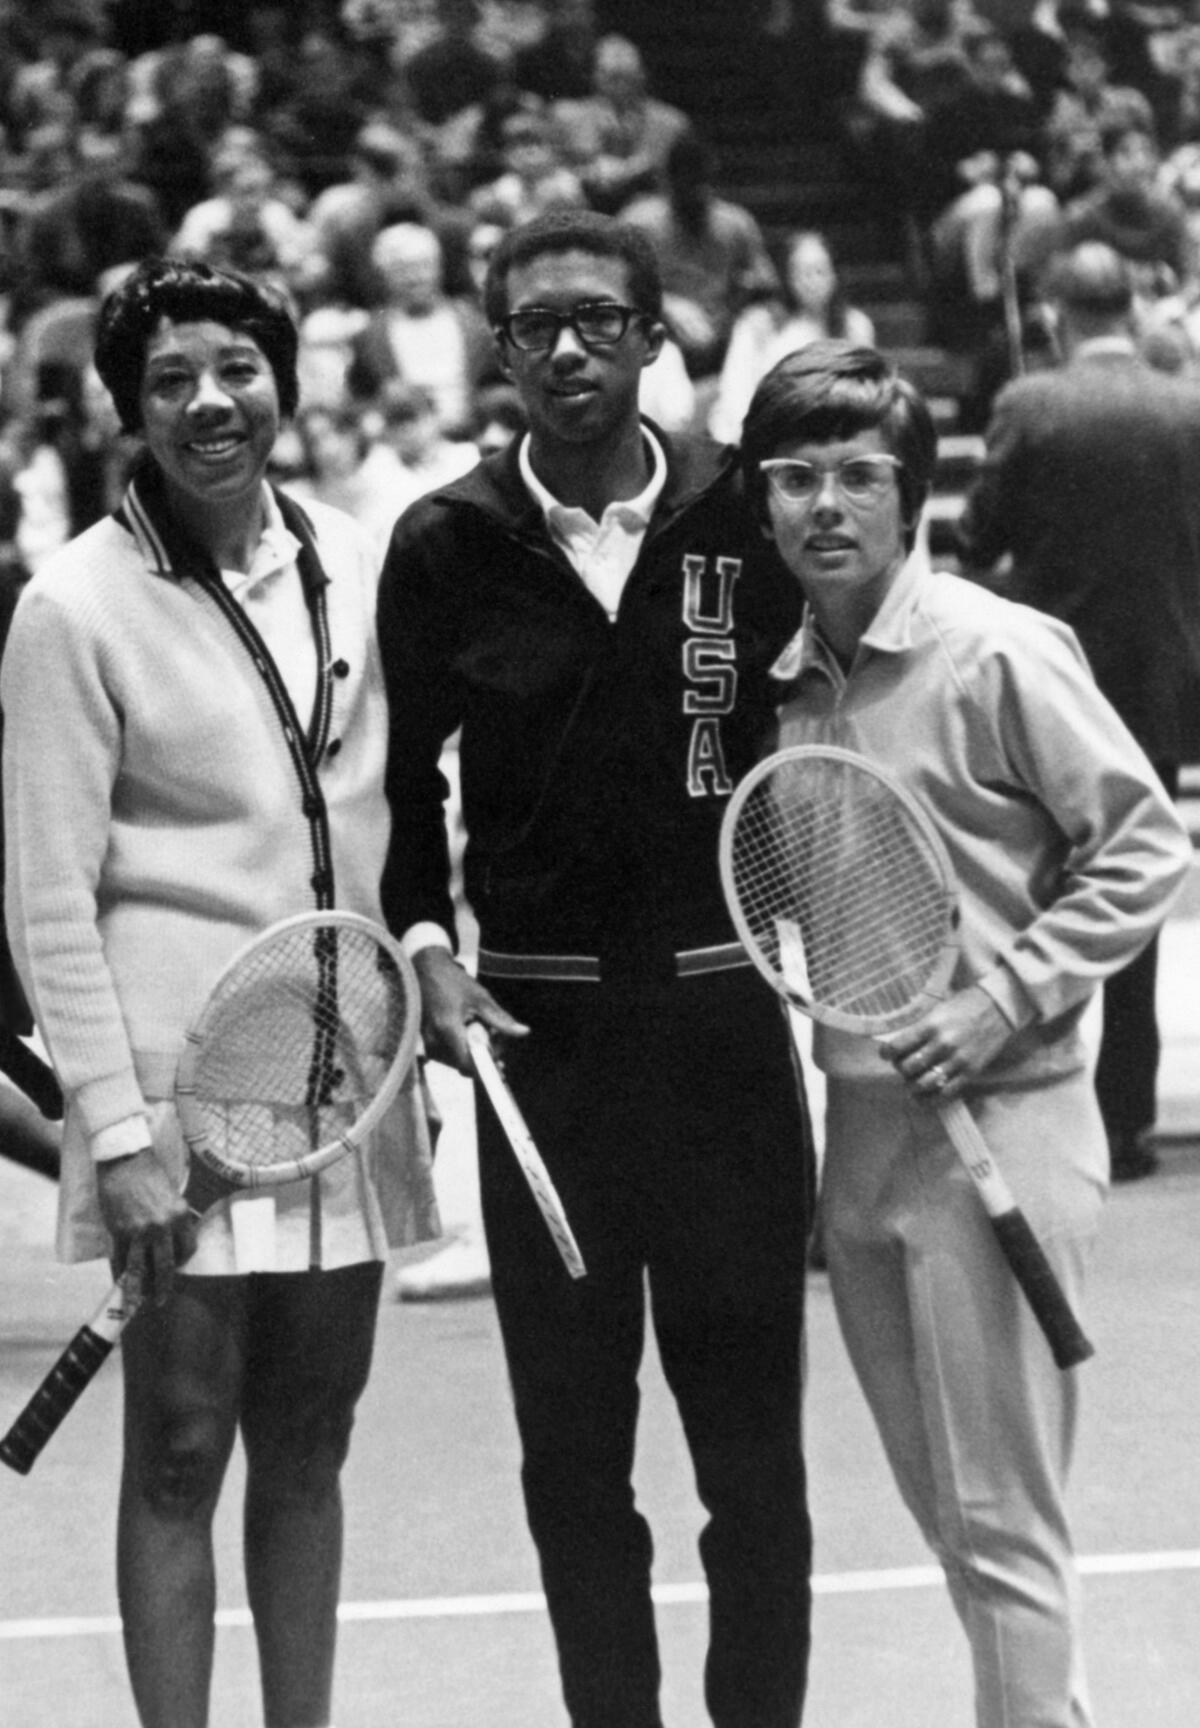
<point>297,1046</point>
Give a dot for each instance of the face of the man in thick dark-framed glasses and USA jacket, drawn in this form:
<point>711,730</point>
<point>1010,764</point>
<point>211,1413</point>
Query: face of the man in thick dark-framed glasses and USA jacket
<point>578,395</point>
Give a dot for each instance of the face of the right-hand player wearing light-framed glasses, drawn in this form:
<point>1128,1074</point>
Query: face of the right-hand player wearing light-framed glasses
<point>843,554</point>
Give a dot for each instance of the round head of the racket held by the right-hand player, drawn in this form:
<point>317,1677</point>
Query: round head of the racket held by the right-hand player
<point>841,889</point>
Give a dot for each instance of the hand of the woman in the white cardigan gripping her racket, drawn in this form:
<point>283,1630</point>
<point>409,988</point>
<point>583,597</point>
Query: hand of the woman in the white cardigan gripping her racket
<point>151,1224</point>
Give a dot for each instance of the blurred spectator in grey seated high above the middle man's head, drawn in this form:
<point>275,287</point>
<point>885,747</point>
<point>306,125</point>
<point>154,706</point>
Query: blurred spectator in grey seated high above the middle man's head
<point>620,137</point>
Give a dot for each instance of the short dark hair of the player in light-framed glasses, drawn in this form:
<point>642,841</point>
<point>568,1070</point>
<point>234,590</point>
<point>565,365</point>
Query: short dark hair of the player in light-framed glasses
<point>831,391</point>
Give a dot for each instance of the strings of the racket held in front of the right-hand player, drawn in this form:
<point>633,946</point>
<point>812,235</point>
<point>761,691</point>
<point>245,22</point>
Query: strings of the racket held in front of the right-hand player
<point>829,860</point>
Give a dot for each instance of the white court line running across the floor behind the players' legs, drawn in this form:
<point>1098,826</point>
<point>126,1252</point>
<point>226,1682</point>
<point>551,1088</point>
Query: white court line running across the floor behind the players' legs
<point>667,1596</point>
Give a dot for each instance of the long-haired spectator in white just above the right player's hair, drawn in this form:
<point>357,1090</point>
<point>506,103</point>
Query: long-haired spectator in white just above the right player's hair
<point>808,307</point>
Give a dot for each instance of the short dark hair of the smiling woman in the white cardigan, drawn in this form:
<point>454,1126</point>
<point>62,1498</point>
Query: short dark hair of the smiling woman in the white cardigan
<point>189,291</point>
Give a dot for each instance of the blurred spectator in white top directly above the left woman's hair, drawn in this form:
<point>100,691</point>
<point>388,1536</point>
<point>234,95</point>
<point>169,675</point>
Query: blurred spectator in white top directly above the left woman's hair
<point>245,226</point>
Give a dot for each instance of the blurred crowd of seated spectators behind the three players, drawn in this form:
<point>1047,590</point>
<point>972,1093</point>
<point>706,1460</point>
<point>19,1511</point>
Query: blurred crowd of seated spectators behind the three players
<point>369,155</point>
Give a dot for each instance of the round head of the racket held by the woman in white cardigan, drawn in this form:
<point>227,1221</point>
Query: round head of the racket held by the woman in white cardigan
<point>302,1046</point>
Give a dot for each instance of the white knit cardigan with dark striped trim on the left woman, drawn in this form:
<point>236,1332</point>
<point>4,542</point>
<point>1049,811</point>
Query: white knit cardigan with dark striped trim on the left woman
<point>155,816</point>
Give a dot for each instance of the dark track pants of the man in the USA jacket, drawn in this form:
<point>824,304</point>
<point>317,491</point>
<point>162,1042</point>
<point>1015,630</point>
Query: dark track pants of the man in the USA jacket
<point>673,1129</point>
